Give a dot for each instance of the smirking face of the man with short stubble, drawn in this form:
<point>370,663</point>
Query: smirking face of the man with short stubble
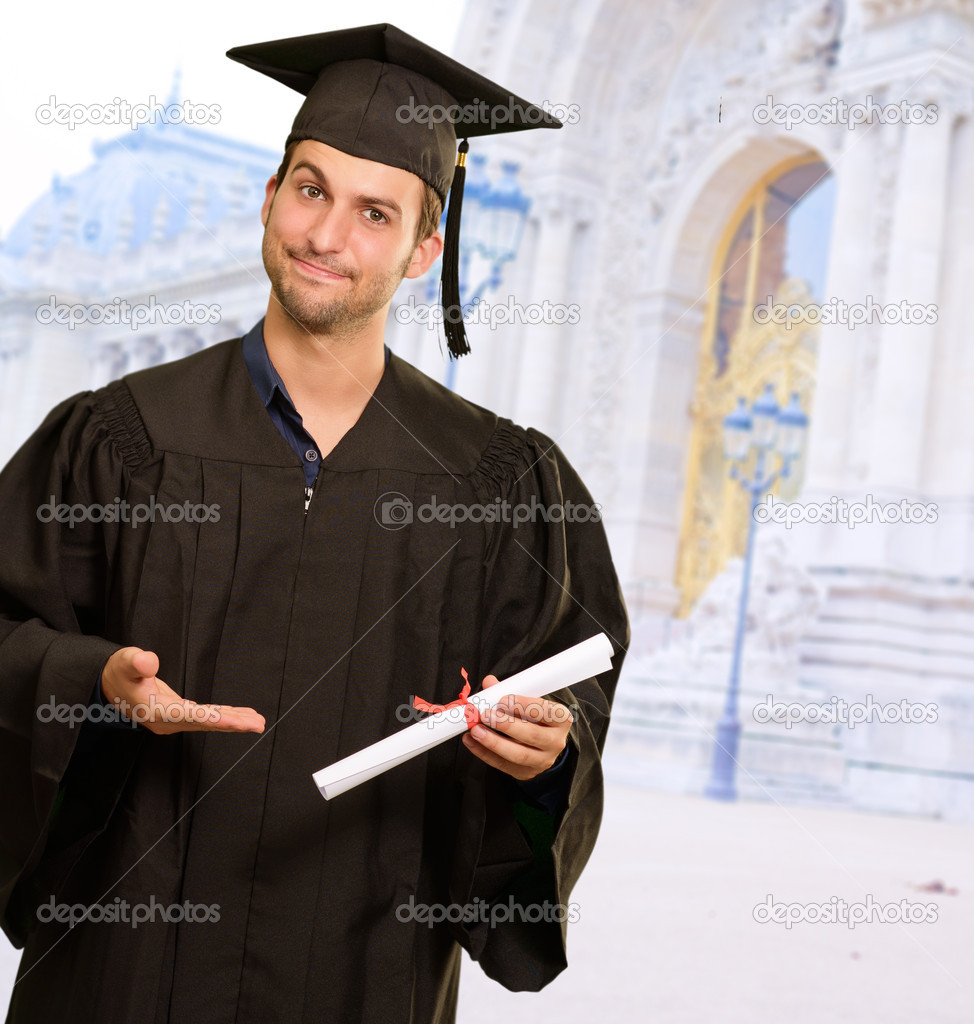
<point>340,237</point>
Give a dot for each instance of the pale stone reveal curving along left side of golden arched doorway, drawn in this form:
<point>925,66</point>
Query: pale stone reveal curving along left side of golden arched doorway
<point>675,320</point>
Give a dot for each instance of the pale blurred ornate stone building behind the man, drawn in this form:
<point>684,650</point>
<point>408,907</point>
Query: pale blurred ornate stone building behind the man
<point>672,207</point>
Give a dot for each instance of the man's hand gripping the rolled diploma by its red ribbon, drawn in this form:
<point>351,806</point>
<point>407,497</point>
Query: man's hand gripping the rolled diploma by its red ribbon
<point>526,737</point>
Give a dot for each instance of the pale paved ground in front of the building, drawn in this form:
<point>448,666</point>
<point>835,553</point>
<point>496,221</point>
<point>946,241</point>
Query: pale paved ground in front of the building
<point>666,930</point>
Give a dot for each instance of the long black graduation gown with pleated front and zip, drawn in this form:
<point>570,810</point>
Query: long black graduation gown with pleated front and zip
<point>326,623</point>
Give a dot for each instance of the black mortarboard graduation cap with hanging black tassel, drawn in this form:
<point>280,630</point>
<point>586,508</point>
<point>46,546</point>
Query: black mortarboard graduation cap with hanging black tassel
<point>378,94</point>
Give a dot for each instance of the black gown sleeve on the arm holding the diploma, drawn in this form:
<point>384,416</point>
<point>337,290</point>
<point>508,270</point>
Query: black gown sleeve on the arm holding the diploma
<point>549,585</point>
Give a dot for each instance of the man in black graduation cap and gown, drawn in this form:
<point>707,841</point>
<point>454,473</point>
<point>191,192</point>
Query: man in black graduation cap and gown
<point>279,618</point>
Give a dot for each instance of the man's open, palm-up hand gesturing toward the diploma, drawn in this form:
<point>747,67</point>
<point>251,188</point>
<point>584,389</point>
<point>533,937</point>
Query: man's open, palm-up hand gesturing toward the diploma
<point>130,682</point>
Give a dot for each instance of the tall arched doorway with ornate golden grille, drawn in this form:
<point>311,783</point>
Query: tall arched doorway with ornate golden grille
<point>775,248</point>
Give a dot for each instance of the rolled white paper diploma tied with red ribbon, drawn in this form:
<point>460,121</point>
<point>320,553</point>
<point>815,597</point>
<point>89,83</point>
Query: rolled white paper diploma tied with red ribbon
<point>581,662</point>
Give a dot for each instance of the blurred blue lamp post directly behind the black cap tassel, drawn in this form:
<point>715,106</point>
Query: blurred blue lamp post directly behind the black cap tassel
<point>494,219</point>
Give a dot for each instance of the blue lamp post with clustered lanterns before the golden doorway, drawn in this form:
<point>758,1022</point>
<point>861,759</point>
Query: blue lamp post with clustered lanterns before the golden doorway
<point>769,431</point>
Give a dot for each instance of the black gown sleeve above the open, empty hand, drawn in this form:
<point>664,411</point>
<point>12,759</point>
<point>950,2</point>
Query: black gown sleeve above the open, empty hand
<point>53,649</point>
